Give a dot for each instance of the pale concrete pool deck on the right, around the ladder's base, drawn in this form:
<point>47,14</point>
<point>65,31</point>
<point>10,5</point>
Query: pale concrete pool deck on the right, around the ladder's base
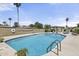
<point>69,47</point>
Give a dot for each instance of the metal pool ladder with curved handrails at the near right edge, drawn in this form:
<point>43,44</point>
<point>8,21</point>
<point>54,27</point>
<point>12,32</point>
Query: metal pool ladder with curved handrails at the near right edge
<point>58,47</point>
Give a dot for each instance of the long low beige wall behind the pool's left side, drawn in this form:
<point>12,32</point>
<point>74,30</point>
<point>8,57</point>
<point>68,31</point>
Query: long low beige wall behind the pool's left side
<point>7,31</point>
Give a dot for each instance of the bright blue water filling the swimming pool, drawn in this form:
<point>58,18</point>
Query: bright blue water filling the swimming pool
<point>36,44</point>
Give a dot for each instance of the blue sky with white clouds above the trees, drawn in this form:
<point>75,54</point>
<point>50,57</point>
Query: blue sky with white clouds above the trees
<point>45,13</point>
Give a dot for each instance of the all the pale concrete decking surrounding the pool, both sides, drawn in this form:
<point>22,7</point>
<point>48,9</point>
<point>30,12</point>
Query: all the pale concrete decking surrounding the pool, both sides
<point>70,47</point>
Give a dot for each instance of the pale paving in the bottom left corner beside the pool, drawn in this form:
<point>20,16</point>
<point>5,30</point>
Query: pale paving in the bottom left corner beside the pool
<point>5,50</point>
